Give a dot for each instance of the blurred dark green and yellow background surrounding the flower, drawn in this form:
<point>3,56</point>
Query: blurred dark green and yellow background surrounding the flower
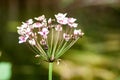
<point>96,56</point>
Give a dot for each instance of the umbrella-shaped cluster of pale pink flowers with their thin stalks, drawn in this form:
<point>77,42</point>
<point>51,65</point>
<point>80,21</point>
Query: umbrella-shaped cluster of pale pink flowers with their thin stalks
<point>50,38</point>
